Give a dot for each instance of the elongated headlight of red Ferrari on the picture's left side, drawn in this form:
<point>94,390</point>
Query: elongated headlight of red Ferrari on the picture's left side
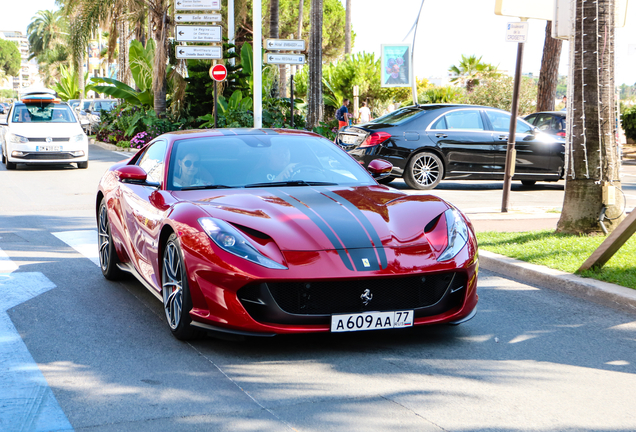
<point>231,240</point>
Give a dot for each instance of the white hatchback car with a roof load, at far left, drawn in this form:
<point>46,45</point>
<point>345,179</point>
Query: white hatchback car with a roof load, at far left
<point>41,129</point>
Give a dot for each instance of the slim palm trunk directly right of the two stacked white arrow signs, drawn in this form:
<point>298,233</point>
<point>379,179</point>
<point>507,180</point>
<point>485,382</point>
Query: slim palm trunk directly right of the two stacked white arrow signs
<point>314,92</point>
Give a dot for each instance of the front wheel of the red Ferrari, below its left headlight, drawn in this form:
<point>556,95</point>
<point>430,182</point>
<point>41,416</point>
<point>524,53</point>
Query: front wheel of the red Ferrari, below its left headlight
<point>177,302</point>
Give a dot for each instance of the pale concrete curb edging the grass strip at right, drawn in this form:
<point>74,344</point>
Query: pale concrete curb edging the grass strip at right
<point>604,293</point>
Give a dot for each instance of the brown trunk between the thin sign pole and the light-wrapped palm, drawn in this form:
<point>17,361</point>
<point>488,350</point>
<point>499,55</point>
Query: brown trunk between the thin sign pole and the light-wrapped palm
<point>549,75</point>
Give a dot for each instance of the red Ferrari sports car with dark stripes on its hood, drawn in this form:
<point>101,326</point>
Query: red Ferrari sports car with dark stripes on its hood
<point>263,232</point>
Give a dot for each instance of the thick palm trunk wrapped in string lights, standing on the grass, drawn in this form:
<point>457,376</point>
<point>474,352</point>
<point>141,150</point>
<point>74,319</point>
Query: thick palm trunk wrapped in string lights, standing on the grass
<point>592,153</point>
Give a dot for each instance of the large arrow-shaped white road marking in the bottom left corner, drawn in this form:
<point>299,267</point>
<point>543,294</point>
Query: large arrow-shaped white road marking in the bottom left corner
<point>26,401</point>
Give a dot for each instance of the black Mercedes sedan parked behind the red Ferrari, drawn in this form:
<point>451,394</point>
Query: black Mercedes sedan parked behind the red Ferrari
<point>428,143</point>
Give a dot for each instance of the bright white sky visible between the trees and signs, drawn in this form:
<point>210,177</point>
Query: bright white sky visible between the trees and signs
<point>447,29</point>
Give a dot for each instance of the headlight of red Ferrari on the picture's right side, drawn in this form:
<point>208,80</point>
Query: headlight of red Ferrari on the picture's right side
<point>451,236</point>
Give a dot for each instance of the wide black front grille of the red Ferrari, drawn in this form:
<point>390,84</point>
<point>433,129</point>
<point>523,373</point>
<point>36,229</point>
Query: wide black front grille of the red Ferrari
<point>344,296</point>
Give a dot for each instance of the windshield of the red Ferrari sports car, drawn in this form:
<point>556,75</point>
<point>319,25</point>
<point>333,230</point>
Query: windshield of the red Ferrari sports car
<point>261,161</point>
